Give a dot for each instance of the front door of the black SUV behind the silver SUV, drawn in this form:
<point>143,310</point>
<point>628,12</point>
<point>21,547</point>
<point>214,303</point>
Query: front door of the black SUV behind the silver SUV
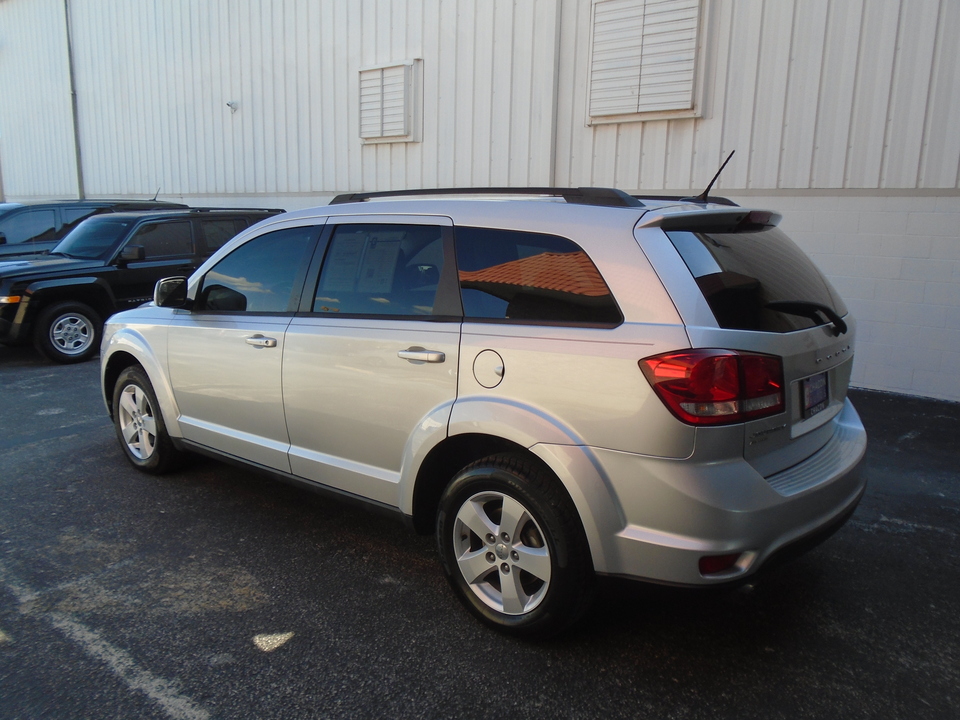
<point>168,250</point>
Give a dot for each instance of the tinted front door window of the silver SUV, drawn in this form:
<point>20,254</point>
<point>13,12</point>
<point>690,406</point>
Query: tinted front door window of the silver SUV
<point>260,275</point>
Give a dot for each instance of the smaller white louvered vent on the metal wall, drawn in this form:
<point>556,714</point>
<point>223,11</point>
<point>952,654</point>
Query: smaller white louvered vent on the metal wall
<point>387,103</point>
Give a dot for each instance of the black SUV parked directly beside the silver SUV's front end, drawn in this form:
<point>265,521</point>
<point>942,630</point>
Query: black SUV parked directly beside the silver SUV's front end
<point>108,263</point>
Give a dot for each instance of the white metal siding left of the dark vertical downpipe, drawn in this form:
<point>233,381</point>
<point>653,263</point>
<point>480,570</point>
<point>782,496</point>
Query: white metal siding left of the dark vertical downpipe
<point>36,122</point>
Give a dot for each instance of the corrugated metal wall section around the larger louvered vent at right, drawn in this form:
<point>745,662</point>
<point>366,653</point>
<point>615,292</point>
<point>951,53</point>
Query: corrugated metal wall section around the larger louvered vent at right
<point>810,93</point>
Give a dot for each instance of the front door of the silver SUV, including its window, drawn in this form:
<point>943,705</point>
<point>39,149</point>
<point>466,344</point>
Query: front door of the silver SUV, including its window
<point>224,354</point>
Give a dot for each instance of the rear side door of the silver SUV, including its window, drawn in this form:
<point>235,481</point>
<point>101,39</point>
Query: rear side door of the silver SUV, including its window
<point>373,355</point>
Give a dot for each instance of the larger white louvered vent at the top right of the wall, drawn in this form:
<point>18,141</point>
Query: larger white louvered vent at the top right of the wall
<point>644,57</point>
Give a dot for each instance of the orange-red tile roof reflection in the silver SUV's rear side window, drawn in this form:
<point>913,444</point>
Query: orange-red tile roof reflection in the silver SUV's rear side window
<point>561,272</point>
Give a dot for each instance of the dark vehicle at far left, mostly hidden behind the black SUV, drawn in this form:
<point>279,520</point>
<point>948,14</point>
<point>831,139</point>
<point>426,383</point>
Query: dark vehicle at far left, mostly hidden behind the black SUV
<point>38,227</point>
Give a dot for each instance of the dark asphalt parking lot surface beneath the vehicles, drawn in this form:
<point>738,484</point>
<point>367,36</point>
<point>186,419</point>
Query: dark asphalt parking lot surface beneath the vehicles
<point>217,593</point>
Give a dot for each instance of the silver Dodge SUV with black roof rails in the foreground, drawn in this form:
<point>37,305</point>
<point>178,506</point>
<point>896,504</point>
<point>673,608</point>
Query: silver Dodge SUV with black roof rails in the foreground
<point>559,383</point>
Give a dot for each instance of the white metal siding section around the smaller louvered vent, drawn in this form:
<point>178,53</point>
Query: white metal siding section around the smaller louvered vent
<point>154,80</point>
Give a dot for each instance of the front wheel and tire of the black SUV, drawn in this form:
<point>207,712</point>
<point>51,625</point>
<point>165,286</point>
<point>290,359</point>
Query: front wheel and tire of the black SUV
<point>68,332</point>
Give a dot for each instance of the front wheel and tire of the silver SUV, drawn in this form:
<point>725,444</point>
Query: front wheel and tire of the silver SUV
<point>139,424</point>
